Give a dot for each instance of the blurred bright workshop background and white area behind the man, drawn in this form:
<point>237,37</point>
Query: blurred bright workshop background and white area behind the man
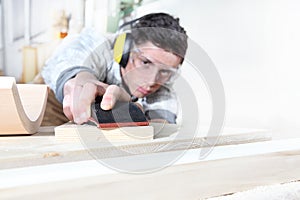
<point>254,45</point>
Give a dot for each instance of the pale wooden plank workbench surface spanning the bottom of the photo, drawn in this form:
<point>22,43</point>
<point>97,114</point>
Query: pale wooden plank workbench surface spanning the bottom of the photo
<point>38,166</point>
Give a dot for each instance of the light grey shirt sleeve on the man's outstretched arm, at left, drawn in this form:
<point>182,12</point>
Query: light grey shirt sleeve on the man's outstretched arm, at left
<point>87,51</point>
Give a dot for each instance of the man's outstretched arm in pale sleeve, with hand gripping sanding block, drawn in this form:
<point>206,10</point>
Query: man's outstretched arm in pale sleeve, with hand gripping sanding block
<point>75,73</point>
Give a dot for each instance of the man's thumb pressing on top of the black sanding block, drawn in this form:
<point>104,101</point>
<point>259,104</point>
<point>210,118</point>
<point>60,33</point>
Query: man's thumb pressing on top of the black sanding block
<point>111,95</point>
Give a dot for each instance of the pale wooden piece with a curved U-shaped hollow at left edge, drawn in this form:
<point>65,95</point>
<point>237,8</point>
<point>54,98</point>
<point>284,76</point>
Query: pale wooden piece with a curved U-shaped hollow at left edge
<point>22,106</point>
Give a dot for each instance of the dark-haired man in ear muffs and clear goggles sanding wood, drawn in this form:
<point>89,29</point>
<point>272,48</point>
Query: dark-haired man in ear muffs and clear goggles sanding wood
<point>85,67</point>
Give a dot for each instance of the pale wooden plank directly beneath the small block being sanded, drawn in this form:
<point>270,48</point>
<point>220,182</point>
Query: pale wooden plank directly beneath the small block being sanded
<point>43,148</point>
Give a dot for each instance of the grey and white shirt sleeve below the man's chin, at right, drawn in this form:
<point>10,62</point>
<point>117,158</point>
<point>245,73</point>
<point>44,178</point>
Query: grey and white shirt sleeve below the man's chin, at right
<point>162,104</point>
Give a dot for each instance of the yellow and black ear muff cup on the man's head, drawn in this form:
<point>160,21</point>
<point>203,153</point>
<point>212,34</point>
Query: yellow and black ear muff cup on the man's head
<point>122,48</point>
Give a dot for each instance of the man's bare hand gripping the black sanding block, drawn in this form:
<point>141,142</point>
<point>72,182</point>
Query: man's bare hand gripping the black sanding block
<point>81,91</point>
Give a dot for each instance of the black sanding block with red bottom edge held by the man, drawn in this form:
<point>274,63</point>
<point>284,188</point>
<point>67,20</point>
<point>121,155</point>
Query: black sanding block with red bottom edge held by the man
<point>123,114</point>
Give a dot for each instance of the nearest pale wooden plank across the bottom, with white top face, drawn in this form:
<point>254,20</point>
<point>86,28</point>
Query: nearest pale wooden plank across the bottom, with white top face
<point>227,169</point>
